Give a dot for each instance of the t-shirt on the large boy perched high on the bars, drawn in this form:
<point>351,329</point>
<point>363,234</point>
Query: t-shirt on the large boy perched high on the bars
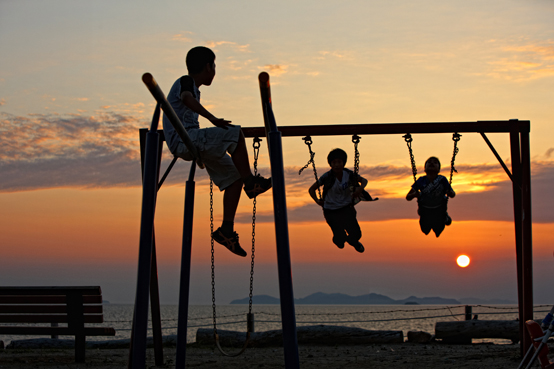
<point>188,117</point>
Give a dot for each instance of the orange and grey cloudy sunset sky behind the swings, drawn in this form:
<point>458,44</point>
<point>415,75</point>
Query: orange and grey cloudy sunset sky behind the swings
<point>72,101</point>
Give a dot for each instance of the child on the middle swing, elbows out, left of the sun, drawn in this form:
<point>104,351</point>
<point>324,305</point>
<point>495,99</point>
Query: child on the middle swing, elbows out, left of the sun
<point>341,189</point>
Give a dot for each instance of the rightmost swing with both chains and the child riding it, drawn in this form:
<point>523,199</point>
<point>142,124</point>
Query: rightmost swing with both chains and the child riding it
<point>432,190</point>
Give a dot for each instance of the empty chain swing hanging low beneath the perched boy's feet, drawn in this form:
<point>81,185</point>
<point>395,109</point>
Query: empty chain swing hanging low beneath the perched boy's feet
<point>250,315</point>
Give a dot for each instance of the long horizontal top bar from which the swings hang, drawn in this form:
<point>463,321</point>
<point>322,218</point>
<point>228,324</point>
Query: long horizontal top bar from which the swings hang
<point>395,128</point>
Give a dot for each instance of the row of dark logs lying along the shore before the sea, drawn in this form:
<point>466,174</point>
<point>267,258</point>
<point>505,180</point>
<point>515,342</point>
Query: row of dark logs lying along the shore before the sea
<point>323,335</point>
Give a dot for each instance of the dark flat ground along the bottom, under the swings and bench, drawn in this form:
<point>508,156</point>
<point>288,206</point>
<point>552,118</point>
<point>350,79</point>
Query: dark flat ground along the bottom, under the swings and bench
<point>404,355</point>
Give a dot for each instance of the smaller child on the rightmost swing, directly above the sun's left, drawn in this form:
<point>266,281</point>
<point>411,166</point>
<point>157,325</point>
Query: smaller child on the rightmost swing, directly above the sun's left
<point>431,191</point>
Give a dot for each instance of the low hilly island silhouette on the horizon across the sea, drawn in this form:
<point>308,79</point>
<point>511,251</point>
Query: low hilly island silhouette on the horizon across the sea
<point>320,298</point>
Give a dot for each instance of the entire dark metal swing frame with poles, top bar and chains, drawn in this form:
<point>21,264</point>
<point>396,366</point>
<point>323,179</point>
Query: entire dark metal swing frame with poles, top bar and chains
<point>151,150</point>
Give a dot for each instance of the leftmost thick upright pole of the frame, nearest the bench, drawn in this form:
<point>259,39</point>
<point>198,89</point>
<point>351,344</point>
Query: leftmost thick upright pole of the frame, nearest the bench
<point>137,354</point>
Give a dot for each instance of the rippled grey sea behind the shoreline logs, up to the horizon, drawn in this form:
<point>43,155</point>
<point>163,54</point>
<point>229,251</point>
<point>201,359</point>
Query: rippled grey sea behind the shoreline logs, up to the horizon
<point>403,318</point>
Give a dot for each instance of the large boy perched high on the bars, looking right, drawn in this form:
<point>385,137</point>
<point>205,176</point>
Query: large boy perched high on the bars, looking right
<point>222,148</point>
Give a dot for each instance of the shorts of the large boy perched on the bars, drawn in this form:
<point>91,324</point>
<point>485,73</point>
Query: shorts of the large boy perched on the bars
<point>214,143</point>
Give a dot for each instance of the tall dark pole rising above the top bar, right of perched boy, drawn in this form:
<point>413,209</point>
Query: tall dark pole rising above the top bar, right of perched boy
<point>290,340</point>
